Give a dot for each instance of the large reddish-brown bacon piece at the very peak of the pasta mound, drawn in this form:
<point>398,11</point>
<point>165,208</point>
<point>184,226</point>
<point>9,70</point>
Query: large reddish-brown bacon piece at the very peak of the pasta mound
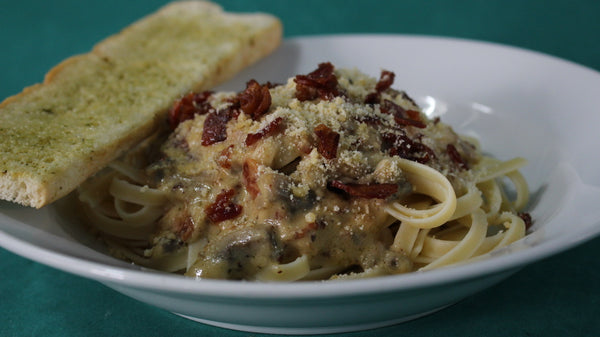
<point>320,83</point>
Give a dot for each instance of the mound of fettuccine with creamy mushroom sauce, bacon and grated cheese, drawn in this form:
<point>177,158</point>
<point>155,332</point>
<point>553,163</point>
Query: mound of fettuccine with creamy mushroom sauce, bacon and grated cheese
<point>333,175</point>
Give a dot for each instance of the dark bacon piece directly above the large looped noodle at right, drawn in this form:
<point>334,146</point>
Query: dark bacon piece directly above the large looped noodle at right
<point>404,147</point>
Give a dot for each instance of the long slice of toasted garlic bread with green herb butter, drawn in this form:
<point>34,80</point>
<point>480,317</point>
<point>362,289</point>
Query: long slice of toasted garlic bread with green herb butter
<point>92,107</point>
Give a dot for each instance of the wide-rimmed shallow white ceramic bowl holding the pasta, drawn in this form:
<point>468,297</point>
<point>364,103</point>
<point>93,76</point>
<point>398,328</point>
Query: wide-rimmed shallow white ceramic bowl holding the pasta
<point>517,102</point>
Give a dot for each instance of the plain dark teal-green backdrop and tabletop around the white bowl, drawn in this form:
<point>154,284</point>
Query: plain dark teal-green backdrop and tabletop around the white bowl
<point>557,296</point>
